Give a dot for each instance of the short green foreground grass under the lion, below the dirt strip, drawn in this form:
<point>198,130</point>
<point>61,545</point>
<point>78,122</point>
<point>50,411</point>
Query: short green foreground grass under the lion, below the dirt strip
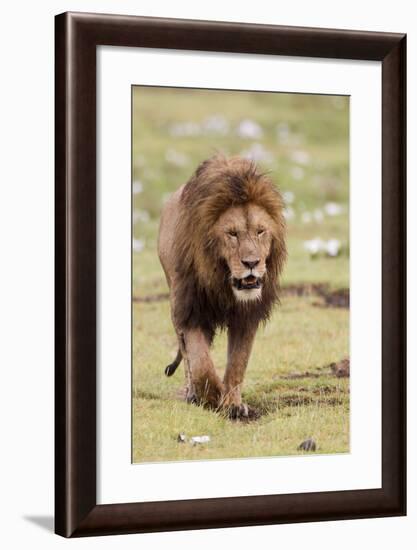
<point>300,337</point>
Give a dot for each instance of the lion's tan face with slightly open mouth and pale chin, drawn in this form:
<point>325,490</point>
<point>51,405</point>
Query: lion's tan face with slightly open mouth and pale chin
<point>244,234</point>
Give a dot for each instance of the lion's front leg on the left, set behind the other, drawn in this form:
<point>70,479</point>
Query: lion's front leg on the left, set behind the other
<point>204,384</point>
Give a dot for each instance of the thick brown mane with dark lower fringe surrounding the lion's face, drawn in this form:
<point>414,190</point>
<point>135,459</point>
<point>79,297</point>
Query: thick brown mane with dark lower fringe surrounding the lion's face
<point>204,298</point>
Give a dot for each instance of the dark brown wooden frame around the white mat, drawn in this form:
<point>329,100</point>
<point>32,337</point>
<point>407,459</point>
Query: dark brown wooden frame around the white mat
<point>76,39</point>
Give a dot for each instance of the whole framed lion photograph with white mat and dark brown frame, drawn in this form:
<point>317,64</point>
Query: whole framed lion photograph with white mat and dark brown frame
<point>230,274</point>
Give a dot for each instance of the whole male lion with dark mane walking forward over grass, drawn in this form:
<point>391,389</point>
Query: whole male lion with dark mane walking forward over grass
<point>222,247</point>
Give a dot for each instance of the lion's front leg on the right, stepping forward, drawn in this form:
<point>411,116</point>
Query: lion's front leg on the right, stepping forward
<point>238,352</point>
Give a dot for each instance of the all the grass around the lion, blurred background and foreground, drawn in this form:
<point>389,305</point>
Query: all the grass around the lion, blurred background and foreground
<point>307,133</point>
